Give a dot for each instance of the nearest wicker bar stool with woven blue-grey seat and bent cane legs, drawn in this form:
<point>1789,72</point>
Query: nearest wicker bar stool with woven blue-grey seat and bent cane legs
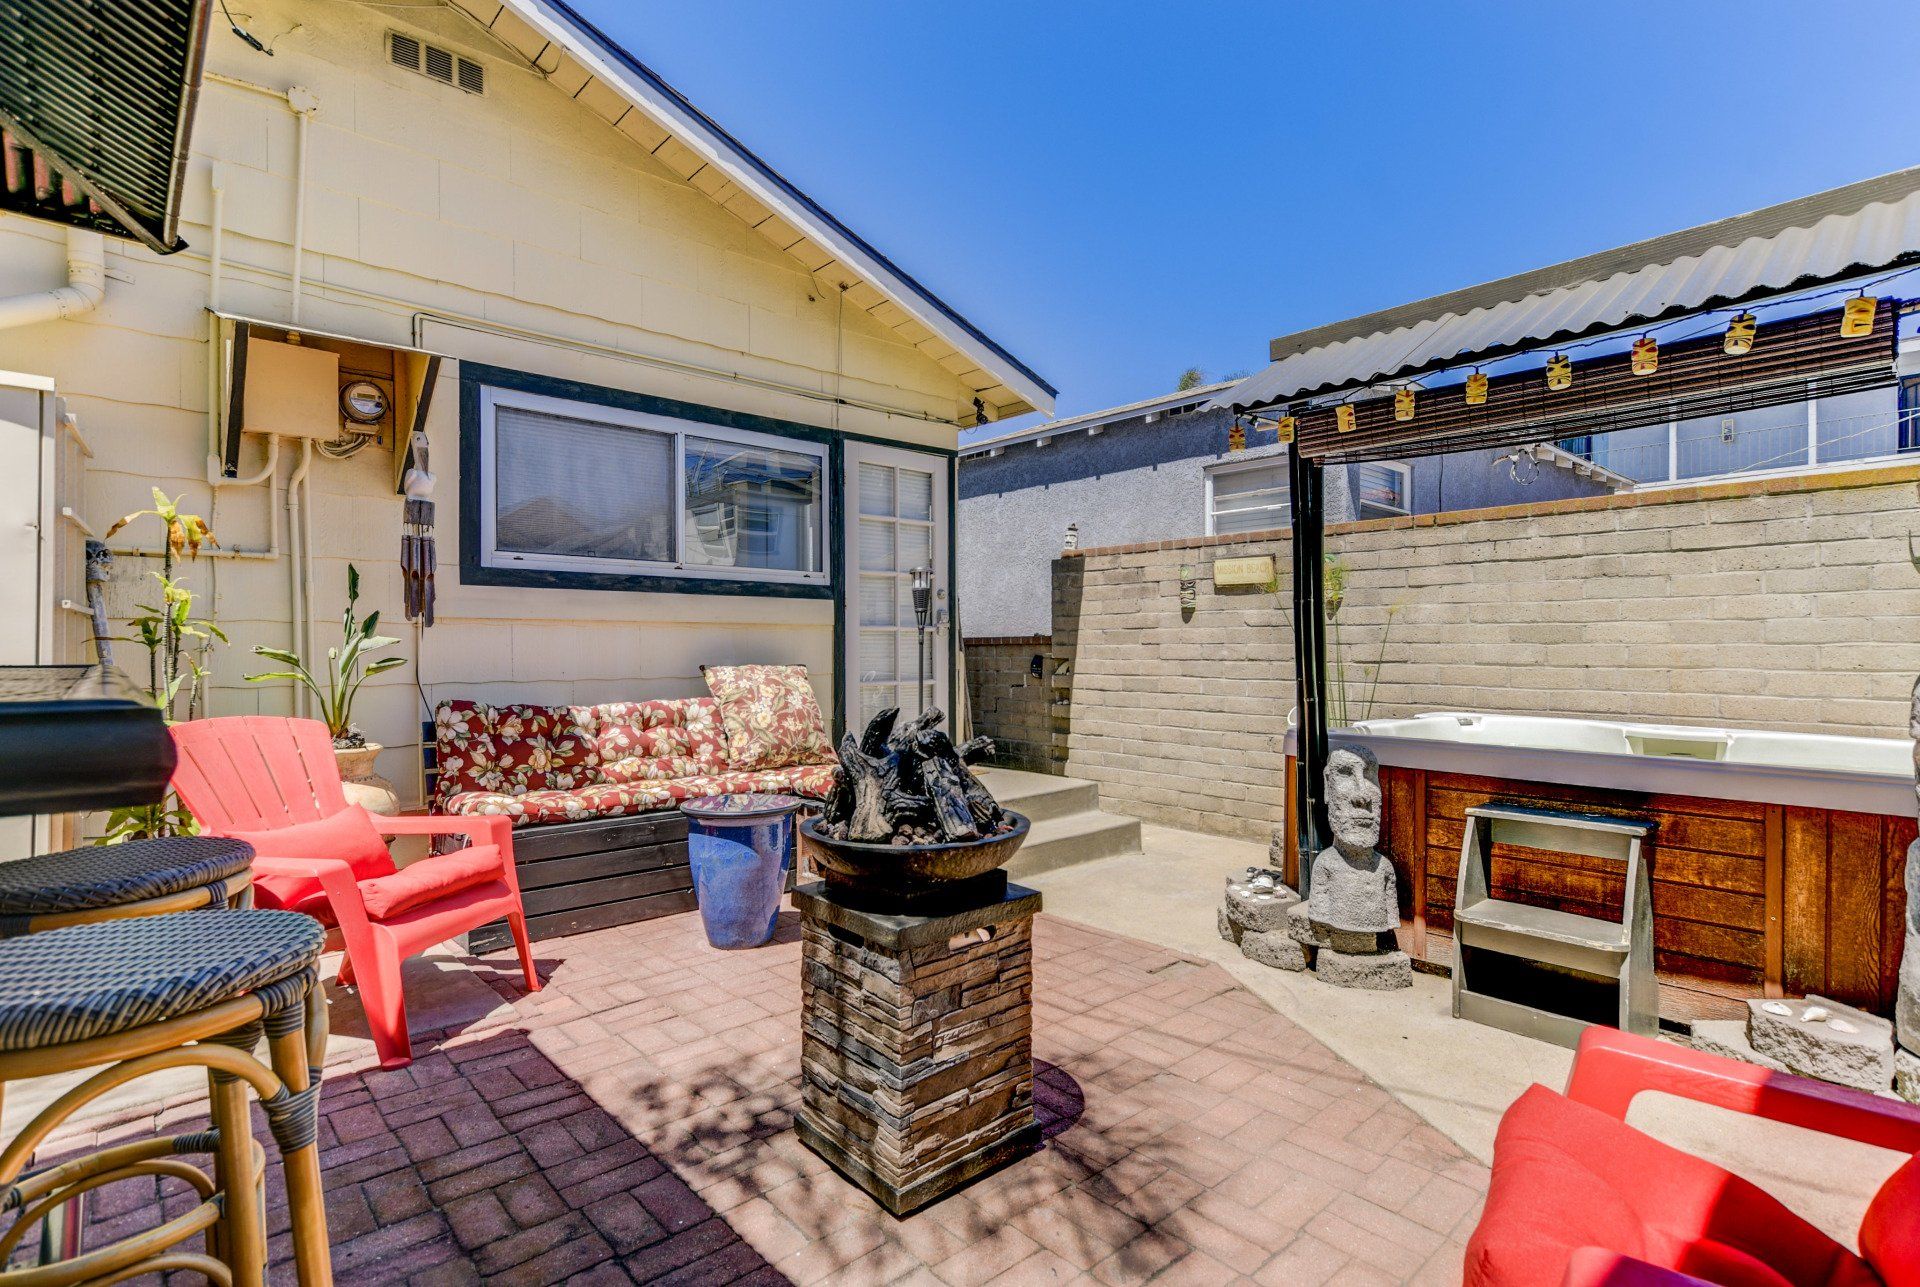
<point>133,998</point>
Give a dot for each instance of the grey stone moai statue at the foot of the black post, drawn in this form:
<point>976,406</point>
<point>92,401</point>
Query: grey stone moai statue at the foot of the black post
<point>1353,902</point>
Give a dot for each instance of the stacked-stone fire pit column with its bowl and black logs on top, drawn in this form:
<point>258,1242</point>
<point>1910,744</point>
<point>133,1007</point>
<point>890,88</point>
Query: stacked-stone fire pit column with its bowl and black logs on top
<point>917,992</point>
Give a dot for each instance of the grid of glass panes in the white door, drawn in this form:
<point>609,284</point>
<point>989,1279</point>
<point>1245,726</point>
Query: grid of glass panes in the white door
<point>896,535</point>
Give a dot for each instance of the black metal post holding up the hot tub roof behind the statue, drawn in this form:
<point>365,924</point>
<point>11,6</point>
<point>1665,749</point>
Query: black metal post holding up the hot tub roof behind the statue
<point>1307,495</point>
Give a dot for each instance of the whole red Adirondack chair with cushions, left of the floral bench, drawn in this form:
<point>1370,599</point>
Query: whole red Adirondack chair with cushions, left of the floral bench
<point>274,783</point>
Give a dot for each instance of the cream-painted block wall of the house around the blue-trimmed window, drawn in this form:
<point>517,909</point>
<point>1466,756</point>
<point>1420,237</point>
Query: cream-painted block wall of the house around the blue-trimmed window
<point>519,210</point>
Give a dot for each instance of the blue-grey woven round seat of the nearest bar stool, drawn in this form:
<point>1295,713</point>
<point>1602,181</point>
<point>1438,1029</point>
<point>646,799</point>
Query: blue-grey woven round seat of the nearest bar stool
<point>120,975</point>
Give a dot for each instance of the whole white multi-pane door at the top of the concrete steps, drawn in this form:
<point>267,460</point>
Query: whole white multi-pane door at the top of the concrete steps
<point>898,520</point>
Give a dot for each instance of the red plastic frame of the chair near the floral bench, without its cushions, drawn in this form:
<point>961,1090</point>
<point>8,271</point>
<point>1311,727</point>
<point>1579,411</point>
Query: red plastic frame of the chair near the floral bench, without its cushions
<point>251,775</point>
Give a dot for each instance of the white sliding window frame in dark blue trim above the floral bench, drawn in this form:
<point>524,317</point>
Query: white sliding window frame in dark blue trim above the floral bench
<point>494,397</point>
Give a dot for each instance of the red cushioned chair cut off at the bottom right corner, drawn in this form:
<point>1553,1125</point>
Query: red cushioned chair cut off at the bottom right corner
<point>1581,1200</point>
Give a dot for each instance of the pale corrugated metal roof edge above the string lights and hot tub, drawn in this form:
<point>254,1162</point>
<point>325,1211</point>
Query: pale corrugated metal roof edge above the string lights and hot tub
<point>1783,249</point>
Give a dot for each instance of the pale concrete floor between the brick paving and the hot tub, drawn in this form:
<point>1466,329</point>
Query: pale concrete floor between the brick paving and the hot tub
<point>1456,1075</point>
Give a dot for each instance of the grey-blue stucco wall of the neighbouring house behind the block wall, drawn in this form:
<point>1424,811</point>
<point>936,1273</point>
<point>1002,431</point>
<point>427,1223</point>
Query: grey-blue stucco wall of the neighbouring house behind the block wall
<point>1138,483</point>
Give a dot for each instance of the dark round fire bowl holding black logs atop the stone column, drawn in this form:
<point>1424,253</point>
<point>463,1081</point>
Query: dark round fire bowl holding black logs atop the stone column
<point>915,879</point>
